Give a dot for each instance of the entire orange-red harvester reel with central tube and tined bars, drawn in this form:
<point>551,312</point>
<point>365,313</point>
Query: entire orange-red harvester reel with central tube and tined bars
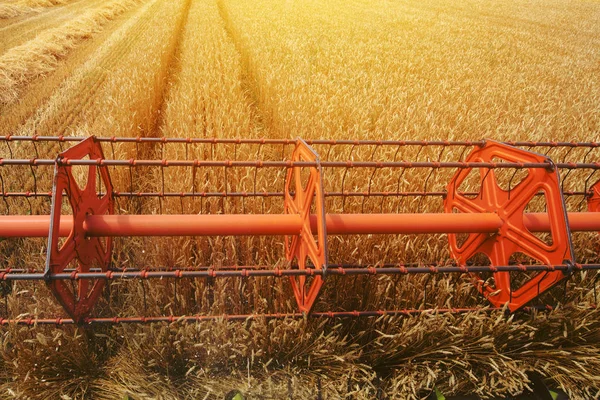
<point>493,222</point>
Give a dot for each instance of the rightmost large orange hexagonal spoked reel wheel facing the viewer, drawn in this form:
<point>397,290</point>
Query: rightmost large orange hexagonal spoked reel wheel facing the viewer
<point>514,235</point>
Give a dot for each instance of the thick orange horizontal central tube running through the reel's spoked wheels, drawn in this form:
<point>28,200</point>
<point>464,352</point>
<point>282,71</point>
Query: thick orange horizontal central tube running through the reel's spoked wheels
<point>269,224</point>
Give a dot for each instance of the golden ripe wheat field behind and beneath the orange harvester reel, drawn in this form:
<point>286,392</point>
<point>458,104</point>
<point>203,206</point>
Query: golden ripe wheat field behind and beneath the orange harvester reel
<point>357,69</point>
